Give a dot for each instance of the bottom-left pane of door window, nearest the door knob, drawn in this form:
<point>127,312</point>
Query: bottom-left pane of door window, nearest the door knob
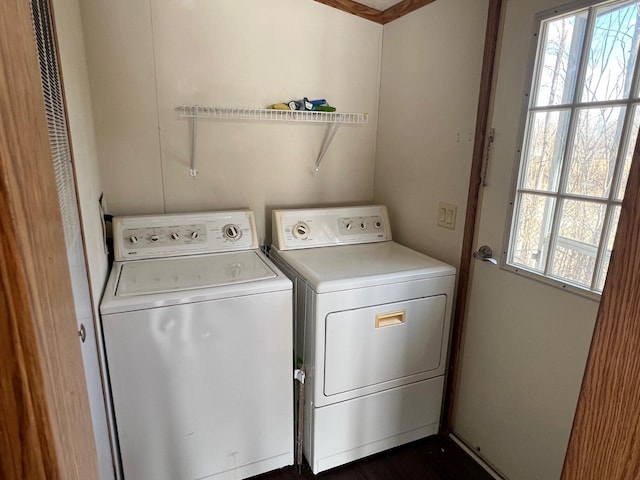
<point>530,242</point>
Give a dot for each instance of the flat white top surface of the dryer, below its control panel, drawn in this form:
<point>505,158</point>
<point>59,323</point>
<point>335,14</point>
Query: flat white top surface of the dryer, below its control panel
<point>329,269</point>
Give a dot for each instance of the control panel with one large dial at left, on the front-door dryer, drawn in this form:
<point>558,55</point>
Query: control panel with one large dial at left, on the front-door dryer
<point>321,227</point>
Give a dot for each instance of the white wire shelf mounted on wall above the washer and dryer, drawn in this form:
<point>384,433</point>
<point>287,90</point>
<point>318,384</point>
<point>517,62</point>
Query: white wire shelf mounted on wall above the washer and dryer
<point>268,114</point>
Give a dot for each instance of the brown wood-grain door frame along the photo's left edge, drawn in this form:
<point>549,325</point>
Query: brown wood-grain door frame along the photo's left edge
<point>47,430</point>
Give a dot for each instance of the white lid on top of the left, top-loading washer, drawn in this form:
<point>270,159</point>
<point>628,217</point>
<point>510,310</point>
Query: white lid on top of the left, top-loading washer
<point>186,273</point>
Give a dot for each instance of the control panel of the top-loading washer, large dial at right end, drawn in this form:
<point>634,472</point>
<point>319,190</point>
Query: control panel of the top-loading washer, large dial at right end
<point>155,236</point>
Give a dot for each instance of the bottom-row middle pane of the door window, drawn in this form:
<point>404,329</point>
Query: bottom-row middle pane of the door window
<point>576,248</point>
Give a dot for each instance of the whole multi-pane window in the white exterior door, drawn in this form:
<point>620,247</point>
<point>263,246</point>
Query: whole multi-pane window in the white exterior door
<point>582,124</point>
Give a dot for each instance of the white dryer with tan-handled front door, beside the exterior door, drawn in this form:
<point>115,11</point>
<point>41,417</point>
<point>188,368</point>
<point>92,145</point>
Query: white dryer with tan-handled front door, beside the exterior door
<point>371,331</point>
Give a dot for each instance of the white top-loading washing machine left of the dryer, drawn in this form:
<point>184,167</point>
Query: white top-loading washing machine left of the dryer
<point>197,326</point>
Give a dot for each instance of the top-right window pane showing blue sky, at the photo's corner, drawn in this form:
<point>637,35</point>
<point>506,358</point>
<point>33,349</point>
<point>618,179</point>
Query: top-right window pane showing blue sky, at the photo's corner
<point>612,52</point>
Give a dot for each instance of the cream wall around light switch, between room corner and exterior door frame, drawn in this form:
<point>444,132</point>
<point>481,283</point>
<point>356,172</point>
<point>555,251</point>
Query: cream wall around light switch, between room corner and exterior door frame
<point>428,99</point>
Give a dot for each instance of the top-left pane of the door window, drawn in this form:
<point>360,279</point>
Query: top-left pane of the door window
<point>560,50</point>
